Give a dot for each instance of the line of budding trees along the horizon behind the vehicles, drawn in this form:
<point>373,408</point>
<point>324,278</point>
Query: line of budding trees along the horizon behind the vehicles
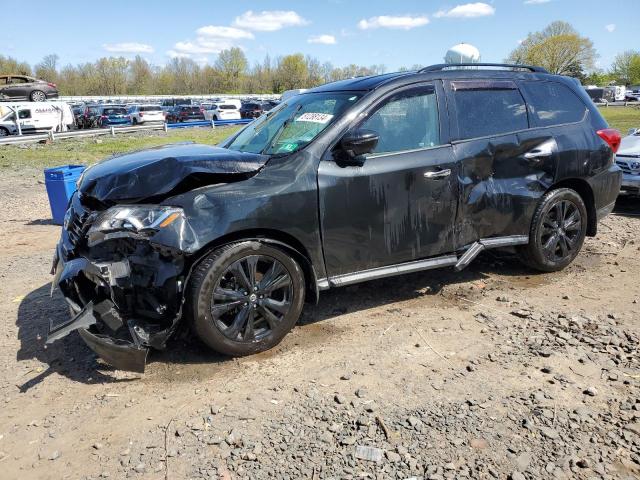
<point>559,48</point>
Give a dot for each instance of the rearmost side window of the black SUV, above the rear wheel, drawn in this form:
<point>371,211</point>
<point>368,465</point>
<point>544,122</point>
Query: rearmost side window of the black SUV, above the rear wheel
<point>552,103</point>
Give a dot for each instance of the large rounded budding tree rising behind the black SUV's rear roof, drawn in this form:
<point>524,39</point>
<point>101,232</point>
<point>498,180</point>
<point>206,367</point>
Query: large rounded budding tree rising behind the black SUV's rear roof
<point>559,48</point>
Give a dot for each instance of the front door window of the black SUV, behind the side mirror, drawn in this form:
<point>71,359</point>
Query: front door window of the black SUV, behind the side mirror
<point>406,121</point>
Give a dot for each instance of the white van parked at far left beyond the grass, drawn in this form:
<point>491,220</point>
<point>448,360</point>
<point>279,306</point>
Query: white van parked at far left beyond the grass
<point>35,117</point>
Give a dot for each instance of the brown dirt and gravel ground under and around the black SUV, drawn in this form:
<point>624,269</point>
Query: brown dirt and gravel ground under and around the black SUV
<point>492,373</point>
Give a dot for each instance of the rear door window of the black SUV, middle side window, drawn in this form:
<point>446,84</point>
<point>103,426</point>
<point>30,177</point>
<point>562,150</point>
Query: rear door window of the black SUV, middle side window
<point>487,108</point>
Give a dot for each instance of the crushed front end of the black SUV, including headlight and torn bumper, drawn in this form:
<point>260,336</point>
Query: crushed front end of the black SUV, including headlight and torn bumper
<point>122,272</point>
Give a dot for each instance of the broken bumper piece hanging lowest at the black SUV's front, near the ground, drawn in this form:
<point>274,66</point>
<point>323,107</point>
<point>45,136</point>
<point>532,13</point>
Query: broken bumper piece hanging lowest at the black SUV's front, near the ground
<point>121,354</point>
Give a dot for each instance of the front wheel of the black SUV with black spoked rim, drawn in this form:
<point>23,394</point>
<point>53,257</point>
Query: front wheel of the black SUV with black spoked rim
<point>241,321</point>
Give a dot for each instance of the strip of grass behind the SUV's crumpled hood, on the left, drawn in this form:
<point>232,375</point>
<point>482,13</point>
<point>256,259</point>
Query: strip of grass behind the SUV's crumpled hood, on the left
<point>90,150</point>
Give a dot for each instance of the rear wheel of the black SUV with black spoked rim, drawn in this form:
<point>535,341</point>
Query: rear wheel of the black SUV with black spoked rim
<point>553,245</point>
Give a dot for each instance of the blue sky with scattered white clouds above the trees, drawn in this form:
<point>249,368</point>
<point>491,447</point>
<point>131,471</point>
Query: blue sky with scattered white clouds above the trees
<point>391,32</point>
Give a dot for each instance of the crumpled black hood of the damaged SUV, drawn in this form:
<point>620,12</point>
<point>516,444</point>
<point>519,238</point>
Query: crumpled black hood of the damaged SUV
<point>157,171</point>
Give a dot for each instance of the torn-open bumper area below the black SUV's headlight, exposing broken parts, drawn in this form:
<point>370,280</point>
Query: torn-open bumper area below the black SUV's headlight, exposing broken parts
<point>125,297</point>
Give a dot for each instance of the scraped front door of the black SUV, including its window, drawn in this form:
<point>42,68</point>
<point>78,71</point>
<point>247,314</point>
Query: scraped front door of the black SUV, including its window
<point>400,205</point>
